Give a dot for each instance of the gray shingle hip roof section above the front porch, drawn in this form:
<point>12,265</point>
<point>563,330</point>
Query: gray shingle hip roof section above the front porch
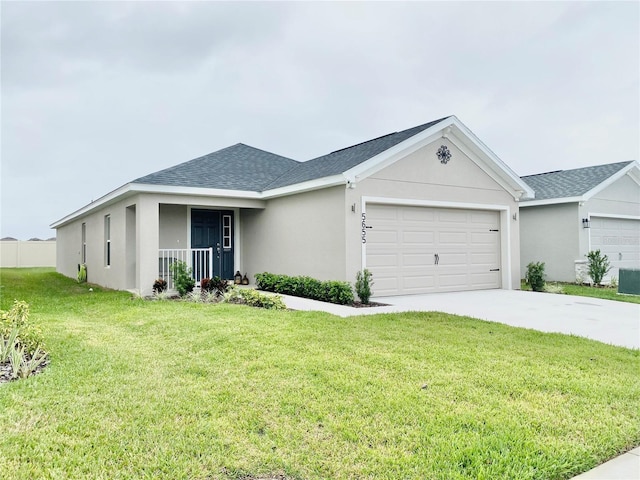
<point>239,167</point>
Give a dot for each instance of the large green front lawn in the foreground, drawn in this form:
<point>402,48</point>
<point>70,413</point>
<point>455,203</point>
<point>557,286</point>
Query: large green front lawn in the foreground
<point>170,390</point>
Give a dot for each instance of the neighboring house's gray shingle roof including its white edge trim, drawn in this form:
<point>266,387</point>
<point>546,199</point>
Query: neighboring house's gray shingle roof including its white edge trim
<point>578,184</point>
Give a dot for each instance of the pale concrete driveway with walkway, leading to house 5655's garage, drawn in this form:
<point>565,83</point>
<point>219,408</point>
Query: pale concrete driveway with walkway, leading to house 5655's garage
<point>616,323</point>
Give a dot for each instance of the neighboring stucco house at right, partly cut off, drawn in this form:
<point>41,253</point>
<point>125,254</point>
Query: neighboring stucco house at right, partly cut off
<point>580,210</point>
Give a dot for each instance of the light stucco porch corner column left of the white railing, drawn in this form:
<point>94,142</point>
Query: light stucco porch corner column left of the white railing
<point>148,243</point>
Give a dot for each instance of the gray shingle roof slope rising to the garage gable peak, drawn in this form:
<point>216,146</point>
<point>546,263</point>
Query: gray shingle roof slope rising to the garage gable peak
<point>342,160</point>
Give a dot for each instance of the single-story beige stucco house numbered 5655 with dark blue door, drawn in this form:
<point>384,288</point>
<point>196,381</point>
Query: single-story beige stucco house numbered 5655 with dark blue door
<point>428,209</point>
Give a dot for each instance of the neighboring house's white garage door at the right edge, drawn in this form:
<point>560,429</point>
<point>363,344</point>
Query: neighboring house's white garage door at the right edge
<point>619,239</point>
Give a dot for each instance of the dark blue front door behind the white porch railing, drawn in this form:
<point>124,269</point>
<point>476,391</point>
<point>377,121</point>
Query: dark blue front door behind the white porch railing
<point>214,229</point>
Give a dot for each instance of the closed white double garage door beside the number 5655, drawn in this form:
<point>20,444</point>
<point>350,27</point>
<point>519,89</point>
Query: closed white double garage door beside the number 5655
<point>421,250</point>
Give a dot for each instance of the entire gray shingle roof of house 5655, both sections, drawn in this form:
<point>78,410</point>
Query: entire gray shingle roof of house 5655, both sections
<point>241,167</point>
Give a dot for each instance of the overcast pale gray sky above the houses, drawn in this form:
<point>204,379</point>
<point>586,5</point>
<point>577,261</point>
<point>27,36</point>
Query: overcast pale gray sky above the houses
<point>97,94</point>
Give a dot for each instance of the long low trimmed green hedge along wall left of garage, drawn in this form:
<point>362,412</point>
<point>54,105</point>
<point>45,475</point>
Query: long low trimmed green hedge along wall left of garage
<point>326,291</point>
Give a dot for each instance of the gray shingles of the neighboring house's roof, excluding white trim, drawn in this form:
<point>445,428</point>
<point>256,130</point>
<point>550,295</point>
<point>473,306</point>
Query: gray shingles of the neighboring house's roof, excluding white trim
<point>570,183</point>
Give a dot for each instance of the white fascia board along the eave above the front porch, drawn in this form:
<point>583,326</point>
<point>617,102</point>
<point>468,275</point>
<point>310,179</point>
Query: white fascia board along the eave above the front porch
<point>134,188</point>
